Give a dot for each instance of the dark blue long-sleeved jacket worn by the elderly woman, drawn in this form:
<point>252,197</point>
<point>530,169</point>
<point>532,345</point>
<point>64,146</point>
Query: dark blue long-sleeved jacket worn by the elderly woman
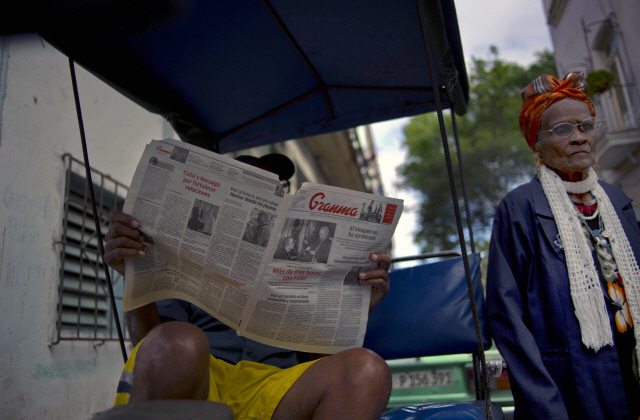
<point>553,375</point>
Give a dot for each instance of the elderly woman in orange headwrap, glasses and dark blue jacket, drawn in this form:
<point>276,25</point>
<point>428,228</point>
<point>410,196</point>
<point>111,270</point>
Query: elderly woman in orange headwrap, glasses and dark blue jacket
<point>563,285</point>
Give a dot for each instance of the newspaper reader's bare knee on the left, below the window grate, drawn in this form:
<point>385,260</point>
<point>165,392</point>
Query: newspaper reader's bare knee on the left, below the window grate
<point>172,363</point>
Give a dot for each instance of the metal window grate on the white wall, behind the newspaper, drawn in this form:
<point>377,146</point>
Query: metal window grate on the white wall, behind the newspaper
<point>84,312</point>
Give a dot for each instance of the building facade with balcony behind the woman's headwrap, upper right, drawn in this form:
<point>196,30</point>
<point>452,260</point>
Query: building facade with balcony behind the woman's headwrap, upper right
<point>592,35</point>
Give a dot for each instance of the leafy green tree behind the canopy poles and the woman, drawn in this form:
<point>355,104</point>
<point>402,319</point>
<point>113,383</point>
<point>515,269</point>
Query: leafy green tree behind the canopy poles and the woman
<point>495,155</point>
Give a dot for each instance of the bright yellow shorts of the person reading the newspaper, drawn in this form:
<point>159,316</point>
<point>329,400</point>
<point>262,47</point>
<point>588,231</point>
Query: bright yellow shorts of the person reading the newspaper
<point>252,390</point>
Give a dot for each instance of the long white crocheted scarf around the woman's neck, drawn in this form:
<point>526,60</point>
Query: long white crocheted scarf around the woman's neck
<point>586,293</point>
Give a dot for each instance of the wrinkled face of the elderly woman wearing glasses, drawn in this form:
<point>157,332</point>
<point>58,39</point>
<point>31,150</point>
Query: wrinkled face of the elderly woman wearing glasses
<point>569,157</point>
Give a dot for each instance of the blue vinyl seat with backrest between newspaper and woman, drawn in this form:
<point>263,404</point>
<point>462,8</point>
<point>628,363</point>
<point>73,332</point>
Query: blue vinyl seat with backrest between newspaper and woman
<point>427,312</point>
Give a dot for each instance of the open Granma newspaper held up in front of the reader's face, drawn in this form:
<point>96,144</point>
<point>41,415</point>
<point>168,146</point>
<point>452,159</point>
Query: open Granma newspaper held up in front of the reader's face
<point>279,269</point>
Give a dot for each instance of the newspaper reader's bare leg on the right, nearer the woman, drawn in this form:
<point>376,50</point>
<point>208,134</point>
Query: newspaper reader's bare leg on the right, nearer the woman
<point>353,384</point>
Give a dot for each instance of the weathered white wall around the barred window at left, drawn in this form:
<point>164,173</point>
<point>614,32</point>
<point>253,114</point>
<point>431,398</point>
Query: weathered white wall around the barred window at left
<point>72,379</point>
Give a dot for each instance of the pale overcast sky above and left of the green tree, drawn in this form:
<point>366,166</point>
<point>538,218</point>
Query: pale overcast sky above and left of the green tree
<point>518,29</point>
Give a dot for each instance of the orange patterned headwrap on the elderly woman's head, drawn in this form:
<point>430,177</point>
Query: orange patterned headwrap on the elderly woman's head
<point>543,92</point>
